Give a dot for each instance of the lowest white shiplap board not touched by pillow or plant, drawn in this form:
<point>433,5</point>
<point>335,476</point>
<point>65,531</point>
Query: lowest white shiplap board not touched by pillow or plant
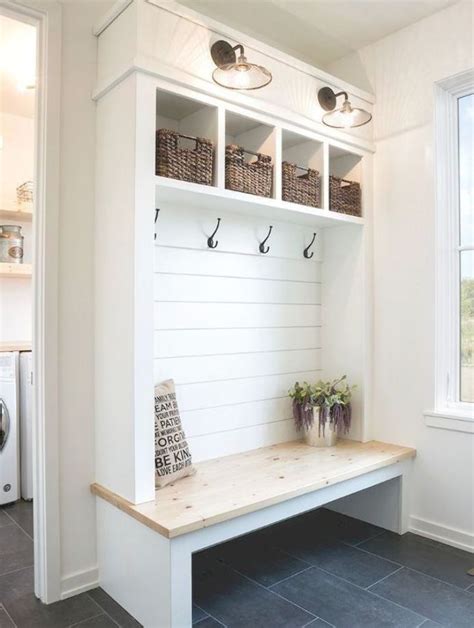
<point>176,342</point>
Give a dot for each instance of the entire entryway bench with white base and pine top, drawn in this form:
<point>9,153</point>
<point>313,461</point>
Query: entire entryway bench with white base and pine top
<point>145,551</point>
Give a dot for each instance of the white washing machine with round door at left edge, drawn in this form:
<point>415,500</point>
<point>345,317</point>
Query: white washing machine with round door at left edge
<point>9,428</point>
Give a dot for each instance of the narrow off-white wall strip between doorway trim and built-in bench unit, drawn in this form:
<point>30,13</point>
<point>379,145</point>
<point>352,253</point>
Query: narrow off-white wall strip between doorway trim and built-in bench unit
<point>76,292</point>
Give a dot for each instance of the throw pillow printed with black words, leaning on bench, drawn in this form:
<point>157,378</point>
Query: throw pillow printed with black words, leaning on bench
<point>172,455</point>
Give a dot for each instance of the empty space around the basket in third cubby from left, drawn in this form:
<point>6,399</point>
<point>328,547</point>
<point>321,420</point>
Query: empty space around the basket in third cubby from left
<point>305,153</point>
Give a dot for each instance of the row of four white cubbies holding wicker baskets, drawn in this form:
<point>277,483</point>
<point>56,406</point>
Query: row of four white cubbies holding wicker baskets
<point>224,157</point>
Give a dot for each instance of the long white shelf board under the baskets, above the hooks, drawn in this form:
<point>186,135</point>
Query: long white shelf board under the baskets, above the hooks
<point>181,193</point>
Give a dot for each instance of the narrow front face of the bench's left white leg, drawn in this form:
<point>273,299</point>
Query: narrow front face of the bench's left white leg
<point>181,593</point>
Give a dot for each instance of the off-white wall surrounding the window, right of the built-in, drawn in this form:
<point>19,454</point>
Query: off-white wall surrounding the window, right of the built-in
<point>401,70</point>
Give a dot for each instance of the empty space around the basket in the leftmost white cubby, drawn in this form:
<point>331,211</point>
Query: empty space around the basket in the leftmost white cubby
<point>188,117</point>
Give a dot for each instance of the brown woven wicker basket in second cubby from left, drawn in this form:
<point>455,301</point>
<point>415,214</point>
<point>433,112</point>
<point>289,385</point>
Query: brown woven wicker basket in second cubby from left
<point>252,178</point>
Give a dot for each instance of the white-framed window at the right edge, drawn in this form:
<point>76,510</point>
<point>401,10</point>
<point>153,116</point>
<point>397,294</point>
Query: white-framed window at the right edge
<point>454,155</point>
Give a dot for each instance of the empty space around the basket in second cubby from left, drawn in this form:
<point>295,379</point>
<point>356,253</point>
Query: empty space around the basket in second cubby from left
<point>253,136</point>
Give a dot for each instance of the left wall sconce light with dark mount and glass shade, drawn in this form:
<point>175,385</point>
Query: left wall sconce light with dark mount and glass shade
<point>235,72</point>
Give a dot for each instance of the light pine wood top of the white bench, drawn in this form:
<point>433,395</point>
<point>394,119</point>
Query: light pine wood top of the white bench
<point>235,485</point>
